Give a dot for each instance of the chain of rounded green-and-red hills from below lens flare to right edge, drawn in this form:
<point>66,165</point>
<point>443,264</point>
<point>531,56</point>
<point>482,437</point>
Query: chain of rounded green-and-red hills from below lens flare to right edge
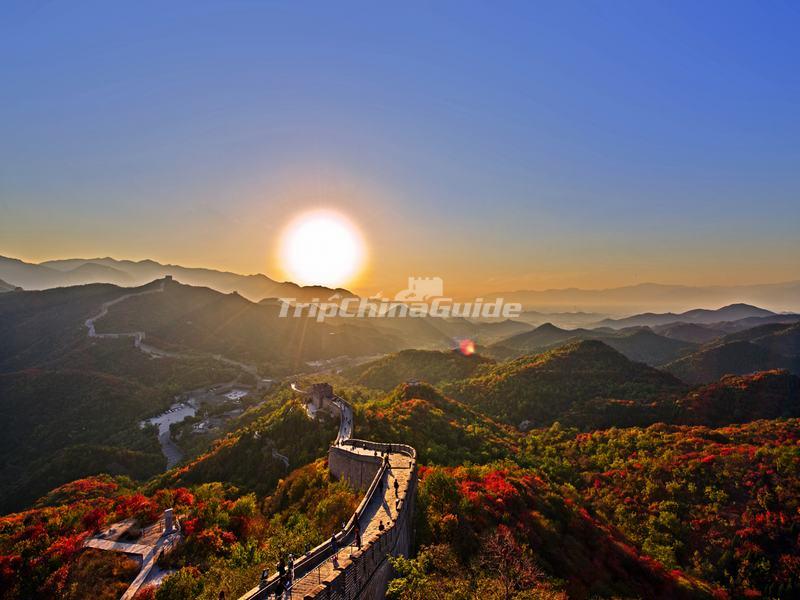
<point>585,384</point>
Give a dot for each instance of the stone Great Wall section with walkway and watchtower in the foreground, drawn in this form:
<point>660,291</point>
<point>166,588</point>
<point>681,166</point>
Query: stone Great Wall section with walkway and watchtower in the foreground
<point>385,516</point>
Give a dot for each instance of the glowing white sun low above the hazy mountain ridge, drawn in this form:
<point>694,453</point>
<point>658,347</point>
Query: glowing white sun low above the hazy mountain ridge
<point>321,248</point>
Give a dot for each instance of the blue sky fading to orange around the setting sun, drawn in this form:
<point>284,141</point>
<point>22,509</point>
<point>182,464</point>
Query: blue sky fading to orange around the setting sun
<point>497,145</point>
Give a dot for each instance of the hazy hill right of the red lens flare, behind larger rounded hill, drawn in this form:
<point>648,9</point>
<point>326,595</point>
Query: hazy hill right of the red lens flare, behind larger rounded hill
<point>637,344</point>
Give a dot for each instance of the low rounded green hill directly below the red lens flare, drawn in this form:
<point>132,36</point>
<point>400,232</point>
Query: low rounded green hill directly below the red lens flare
<point>430,366</point>
